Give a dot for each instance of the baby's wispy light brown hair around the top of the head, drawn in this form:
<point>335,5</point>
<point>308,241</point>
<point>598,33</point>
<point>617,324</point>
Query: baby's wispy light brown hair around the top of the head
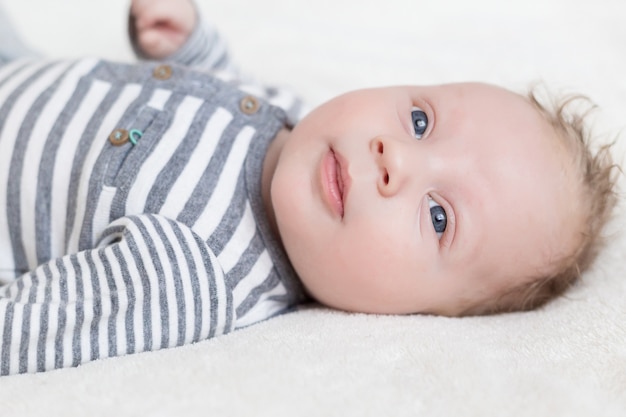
<point>597,180</point>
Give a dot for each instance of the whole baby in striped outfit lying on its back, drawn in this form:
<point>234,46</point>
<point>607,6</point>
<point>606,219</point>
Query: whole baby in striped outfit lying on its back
<point>154,205</point>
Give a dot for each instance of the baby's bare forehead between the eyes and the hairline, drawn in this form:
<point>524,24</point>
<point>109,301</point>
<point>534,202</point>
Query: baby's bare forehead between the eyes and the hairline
<point>511,186</point>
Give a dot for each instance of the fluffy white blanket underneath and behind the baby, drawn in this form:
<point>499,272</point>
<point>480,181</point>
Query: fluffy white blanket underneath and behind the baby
<point>568,358</point>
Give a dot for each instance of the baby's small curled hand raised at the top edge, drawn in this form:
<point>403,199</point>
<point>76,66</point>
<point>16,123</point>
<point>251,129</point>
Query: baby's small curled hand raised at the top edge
<point>162,26</point>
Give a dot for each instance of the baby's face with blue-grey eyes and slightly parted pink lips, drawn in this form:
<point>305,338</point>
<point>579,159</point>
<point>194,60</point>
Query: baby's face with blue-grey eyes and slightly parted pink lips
<point>417,199</point>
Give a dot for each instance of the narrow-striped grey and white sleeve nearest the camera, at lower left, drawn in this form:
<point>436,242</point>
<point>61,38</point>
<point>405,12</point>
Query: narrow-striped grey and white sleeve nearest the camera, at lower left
<point>150,284</point>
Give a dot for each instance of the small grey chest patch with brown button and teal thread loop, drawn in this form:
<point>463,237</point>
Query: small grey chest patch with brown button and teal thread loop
<point>132,142</point>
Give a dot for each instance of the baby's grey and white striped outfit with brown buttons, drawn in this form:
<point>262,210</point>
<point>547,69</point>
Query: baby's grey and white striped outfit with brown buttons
<point>131,216</point>
